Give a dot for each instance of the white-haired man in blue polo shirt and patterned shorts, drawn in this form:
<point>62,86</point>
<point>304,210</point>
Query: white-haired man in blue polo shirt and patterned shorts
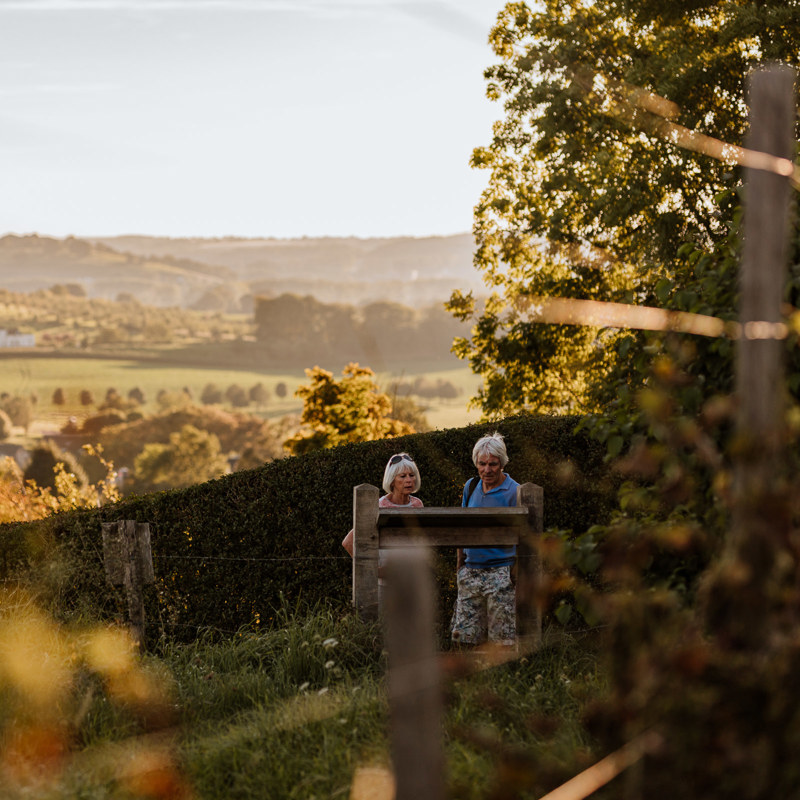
<point>486,604</point>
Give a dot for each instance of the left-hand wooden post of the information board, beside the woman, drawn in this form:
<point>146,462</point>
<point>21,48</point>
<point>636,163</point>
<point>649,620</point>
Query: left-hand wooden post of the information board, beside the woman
<point>365,551</point>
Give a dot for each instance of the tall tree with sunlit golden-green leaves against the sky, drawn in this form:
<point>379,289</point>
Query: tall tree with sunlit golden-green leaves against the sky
<point>596,175</point>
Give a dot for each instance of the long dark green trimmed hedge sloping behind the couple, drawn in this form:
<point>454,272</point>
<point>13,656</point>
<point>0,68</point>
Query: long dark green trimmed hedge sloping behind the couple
<point>226,551</point>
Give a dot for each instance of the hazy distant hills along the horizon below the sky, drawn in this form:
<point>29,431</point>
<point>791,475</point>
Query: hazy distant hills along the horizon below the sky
<point>226,274</point>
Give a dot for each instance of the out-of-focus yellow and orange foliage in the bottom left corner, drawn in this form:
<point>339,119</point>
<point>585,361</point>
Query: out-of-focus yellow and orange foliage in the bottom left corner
<point>62,686</point>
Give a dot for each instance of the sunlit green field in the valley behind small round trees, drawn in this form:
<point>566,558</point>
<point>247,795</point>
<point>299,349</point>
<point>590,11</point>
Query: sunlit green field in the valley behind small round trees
<point>42,375</point>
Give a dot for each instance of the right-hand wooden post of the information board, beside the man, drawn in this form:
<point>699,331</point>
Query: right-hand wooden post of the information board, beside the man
<point>529,569</point>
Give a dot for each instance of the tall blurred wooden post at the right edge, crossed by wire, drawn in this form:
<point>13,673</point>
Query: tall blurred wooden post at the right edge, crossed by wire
<point>741,601</point>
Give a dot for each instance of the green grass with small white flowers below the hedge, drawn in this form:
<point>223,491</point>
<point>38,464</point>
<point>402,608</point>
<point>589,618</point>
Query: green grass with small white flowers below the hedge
<point>293,712</point>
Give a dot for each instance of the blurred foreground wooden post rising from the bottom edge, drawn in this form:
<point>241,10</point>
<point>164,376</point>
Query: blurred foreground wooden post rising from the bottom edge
<point>414,682</point>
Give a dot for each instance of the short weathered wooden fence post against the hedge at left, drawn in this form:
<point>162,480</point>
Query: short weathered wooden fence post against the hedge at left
<point>129,562</point>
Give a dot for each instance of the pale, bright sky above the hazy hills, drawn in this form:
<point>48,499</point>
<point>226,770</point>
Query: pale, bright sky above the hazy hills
<point>255,118</point>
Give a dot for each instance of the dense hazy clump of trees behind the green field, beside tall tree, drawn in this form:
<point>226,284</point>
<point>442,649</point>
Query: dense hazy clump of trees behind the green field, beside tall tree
<point>302,329</point>
